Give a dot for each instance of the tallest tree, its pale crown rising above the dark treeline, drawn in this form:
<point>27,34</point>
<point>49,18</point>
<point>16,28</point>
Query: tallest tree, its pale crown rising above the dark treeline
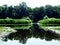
<point>23,10</point>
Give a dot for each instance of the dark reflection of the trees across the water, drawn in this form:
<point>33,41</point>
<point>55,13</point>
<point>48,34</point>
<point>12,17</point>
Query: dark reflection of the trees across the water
<point>23,34</point>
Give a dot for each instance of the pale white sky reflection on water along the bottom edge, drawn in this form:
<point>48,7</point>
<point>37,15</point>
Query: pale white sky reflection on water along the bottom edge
<point>31,41</point>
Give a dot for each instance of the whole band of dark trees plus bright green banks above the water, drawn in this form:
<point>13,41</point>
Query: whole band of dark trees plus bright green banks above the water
<point>47,15</point>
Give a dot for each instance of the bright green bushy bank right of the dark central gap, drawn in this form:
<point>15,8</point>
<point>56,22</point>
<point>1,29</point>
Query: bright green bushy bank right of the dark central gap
<point>50,22</point>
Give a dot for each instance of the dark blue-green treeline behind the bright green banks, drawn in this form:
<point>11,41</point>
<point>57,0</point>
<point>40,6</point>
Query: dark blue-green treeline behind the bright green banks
<point>35,14</point>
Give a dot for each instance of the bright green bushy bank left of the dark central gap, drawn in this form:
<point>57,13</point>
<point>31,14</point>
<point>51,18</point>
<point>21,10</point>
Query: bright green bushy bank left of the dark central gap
<point>15,21</point>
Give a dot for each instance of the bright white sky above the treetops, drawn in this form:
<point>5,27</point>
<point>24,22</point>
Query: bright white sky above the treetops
<point>31,3</point>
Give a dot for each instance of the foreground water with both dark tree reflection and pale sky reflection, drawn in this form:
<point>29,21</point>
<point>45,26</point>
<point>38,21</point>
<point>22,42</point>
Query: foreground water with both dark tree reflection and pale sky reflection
<point>32,36</point>
